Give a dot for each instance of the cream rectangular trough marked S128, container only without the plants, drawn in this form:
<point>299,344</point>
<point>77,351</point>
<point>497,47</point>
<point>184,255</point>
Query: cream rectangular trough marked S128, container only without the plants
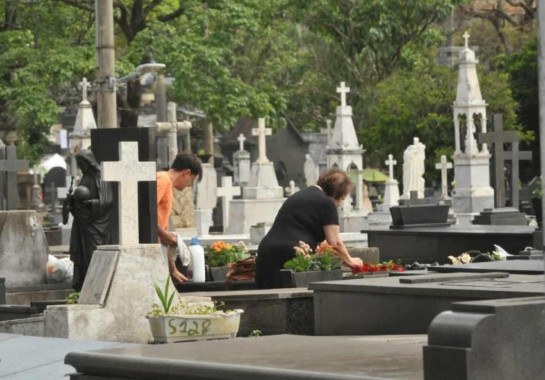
<point>169,329</point>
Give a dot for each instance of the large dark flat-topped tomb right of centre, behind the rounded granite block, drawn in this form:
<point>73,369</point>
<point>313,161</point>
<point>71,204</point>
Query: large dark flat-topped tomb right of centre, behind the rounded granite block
<point>390,306</point>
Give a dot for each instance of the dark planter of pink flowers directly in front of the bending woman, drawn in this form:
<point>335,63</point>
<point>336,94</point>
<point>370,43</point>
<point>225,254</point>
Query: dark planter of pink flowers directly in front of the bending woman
<point>309,266</point>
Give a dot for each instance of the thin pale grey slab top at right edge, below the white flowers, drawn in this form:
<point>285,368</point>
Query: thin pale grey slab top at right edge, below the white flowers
<point>509,266</point>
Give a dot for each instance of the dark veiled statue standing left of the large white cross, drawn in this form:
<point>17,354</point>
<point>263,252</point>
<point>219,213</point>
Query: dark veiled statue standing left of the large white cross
<point>90,204</point>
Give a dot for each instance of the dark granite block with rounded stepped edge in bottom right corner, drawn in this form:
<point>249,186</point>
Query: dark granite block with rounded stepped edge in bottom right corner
<point>493,339</point>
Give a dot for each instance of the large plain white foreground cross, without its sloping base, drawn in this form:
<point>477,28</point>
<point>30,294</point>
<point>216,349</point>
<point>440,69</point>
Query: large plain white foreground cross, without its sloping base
<point>128,171</point>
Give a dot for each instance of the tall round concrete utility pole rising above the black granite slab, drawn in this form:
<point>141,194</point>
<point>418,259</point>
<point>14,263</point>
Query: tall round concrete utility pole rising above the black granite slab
<point>106,96</point>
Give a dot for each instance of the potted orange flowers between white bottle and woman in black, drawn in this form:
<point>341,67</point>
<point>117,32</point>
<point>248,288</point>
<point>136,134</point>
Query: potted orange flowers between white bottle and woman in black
<point>220,255</point>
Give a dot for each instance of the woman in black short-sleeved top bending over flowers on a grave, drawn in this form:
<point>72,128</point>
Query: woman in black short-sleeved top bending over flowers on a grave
<point>309,215</point>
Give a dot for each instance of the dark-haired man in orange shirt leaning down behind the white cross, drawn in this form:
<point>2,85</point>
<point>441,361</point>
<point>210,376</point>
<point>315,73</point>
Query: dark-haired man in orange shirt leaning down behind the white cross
<point>184,170</point>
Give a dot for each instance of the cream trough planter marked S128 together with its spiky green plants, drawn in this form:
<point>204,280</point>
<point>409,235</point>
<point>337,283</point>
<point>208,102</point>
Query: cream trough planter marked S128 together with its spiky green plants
<point>172,321</point>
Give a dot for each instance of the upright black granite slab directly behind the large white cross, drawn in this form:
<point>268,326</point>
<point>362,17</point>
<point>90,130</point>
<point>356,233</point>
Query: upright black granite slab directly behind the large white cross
<point>105,147</point>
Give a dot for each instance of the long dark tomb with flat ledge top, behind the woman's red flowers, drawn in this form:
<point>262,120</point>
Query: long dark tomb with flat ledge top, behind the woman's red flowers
<point>427,245</point>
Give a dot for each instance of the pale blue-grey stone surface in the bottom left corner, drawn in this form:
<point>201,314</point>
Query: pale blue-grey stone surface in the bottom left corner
<point>29,357</point>
